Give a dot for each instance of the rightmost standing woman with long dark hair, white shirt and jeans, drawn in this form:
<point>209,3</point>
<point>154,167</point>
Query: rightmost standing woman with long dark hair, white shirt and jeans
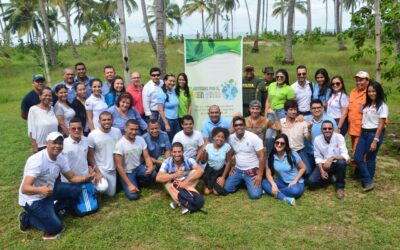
<point>375,114</point>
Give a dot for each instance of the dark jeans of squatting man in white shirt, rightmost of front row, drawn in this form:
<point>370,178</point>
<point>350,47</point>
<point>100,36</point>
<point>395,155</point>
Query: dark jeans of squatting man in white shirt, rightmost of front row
<point>337,168</point>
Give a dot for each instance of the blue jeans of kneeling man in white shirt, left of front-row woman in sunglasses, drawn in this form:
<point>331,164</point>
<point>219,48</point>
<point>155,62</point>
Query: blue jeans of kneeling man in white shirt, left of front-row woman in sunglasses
<point>232,183</point>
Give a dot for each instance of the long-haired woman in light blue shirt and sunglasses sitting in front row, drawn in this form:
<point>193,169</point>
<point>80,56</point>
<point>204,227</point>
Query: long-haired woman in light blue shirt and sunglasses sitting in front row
<point>290,168</point>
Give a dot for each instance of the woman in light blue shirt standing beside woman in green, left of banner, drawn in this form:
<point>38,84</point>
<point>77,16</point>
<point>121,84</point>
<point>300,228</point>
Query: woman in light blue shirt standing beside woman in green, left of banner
<point>168,102</point>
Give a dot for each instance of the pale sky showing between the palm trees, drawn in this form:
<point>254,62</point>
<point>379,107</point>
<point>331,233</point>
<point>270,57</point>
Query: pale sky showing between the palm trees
<point>192,24</point>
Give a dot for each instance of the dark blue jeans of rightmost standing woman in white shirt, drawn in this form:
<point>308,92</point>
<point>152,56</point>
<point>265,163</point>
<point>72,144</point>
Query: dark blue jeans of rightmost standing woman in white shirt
<point>367,169</point>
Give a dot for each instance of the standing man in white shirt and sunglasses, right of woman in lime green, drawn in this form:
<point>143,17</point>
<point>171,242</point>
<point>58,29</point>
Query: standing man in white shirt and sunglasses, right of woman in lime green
<point>303,91</point>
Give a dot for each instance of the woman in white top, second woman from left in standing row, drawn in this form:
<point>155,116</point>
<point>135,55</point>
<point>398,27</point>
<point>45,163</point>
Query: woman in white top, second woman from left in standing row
<point>63,110</point>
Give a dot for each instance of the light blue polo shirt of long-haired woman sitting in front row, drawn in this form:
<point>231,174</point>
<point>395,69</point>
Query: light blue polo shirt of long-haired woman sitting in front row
<point>286,172</point>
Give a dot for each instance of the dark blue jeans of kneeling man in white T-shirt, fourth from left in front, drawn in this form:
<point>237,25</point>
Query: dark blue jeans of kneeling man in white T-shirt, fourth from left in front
<point>138,178</point>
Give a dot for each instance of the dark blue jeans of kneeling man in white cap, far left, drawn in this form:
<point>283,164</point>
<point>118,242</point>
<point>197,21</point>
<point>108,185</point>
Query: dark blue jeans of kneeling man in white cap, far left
<point>42,215</point>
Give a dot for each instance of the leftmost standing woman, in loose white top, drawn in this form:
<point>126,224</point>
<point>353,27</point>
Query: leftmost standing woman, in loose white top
<point>41,120</point>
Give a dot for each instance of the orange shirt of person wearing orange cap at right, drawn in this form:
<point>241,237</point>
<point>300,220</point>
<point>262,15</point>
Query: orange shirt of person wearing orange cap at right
<point>356,105</point>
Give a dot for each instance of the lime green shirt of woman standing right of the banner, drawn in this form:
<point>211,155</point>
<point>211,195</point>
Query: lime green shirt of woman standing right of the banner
<point>279,95</point>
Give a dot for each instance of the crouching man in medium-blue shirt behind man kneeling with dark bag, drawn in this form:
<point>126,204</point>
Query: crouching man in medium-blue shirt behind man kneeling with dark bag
<point>158,143</point>
